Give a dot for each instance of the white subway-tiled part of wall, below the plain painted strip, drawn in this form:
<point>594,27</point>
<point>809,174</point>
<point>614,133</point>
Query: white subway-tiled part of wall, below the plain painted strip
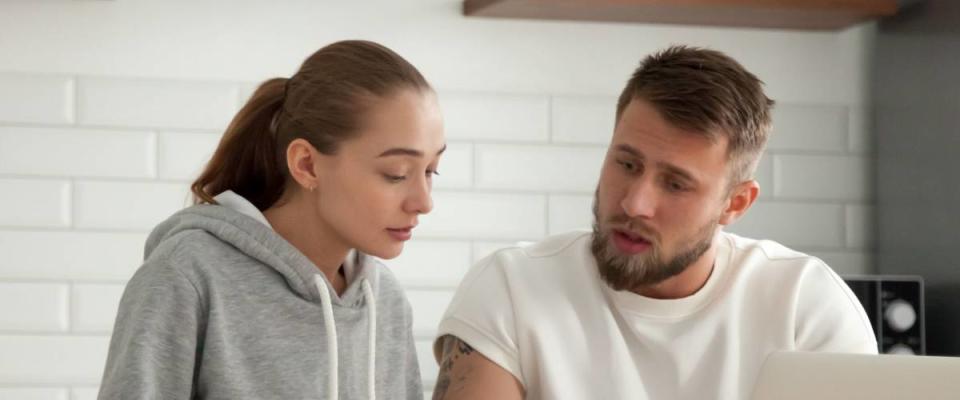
<point>89,164</point>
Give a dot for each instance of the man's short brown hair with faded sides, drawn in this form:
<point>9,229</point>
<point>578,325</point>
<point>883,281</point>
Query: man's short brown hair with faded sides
<point>706,91</point>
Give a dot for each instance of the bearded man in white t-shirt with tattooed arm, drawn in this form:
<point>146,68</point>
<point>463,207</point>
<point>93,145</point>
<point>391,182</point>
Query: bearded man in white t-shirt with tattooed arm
<point>657,302</point>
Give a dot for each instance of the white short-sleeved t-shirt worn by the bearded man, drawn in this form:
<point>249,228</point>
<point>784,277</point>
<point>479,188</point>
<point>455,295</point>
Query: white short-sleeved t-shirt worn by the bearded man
<point>544,314</point>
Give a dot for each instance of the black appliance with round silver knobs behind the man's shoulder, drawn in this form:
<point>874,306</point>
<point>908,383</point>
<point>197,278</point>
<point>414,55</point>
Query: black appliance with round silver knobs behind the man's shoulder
<point>895,307</point>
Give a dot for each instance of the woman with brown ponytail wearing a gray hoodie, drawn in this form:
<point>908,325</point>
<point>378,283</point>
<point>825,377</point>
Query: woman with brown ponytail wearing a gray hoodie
<point>266,288</point>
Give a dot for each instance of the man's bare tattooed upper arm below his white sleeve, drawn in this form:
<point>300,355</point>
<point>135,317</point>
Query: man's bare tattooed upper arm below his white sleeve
<point>465,374</point>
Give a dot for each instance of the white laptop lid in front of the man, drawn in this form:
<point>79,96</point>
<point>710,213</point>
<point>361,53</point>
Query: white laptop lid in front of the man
<point>832,376</point>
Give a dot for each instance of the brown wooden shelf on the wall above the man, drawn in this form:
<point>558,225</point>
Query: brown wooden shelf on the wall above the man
<point>782,14</point>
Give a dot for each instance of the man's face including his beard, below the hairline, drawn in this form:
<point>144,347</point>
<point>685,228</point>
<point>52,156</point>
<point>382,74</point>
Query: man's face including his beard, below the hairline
<point>660,199</point>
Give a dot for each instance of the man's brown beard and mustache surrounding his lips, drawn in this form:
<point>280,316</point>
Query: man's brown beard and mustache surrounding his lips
<point>631,272</point>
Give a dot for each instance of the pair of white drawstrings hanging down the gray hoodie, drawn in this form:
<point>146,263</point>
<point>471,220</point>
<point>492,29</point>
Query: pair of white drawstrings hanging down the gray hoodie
<point>333,391</point>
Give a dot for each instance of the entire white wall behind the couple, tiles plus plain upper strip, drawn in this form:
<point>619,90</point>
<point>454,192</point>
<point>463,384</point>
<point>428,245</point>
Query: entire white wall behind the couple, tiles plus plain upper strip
<point>101,134</point>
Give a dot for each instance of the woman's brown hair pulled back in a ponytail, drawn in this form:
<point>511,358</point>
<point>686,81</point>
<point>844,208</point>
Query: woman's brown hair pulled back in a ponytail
<point>323,103</point>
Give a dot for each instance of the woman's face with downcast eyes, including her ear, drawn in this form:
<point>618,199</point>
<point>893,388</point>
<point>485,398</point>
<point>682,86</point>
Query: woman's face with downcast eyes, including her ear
<point>374,188</point>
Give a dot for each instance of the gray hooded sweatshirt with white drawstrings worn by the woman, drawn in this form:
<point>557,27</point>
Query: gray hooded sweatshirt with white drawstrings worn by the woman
<point>224,308</point>
